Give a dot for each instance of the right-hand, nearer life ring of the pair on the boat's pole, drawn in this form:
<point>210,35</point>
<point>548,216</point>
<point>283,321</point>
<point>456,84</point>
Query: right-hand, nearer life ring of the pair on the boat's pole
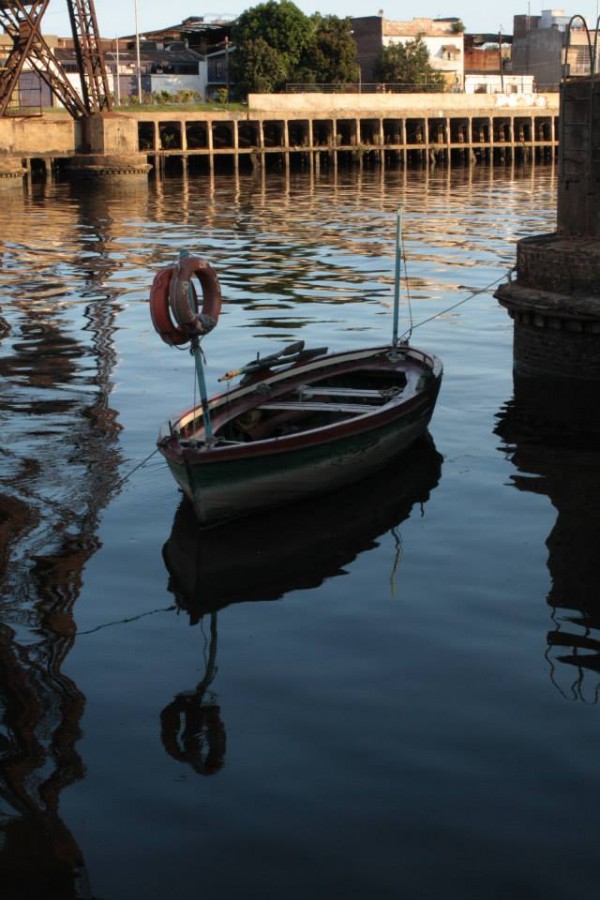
<point>183,300</point>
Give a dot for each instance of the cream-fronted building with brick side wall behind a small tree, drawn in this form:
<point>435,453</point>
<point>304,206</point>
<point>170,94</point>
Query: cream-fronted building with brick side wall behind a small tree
<point>442,37</point>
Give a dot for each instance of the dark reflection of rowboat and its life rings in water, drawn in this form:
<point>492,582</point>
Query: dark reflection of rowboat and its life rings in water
<point>264,558</point>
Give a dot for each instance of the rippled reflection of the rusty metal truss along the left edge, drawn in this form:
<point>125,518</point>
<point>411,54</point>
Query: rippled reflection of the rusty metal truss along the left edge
<point>60,464</point>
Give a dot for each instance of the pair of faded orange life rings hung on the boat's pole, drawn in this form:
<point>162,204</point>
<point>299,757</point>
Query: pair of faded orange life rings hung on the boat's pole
<point>174,303</point>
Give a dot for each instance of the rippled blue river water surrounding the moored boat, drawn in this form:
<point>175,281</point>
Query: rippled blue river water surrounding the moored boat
<point>389,693</point>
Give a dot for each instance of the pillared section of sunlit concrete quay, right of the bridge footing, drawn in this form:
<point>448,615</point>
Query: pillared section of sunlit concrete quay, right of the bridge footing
<point>354,128</point>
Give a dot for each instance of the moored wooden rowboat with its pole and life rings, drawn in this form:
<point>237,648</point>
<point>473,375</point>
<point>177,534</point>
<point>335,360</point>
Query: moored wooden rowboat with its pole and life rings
<point>301,422</point>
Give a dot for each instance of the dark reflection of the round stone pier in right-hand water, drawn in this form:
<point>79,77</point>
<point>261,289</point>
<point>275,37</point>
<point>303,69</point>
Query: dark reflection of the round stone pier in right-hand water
<point>567,467</point>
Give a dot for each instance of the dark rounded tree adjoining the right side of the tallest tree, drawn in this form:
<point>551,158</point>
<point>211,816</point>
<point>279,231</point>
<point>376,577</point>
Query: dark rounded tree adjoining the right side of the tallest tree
<point>330,56</point>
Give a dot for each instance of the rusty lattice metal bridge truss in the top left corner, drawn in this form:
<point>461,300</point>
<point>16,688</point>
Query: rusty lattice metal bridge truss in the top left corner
<point>30,52</point>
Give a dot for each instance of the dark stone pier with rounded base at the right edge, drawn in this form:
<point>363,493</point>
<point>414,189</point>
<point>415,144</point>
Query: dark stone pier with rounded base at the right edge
<point>555,299</point>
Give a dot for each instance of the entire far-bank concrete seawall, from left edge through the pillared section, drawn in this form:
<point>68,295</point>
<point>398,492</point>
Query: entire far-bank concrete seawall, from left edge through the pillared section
<point>308,129</point>
